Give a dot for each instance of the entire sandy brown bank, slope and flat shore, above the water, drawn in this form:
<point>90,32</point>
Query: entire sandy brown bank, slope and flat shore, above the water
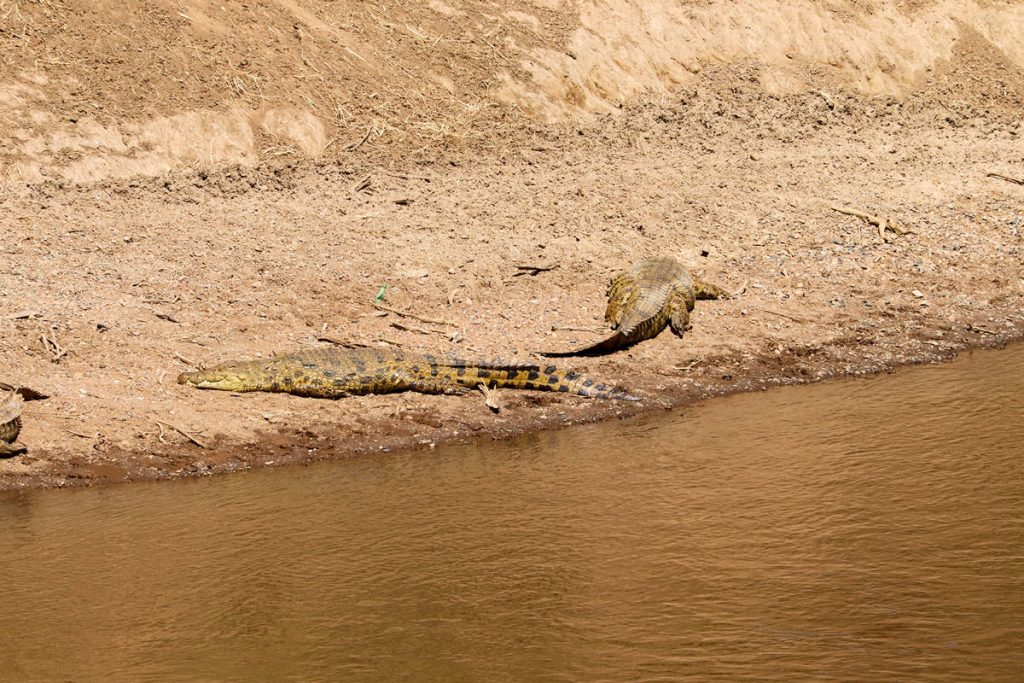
<point>200,223</point>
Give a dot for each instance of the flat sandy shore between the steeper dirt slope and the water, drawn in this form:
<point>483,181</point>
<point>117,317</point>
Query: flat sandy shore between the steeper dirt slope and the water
<point>142,277</point>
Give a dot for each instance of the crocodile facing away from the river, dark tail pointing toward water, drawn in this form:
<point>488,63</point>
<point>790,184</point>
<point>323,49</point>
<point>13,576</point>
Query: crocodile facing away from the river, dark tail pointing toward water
<point>645,300</point>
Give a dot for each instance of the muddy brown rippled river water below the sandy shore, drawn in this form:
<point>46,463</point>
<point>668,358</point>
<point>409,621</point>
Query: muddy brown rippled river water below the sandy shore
<point>858,531</point>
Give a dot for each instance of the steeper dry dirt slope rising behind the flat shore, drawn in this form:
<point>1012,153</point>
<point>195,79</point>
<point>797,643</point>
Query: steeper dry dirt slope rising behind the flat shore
<point>105,91</point>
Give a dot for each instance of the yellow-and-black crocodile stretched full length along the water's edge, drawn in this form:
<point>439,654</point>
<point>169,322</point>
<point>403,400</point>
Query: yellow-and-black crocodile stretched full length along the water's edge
<point>334,373</point>
